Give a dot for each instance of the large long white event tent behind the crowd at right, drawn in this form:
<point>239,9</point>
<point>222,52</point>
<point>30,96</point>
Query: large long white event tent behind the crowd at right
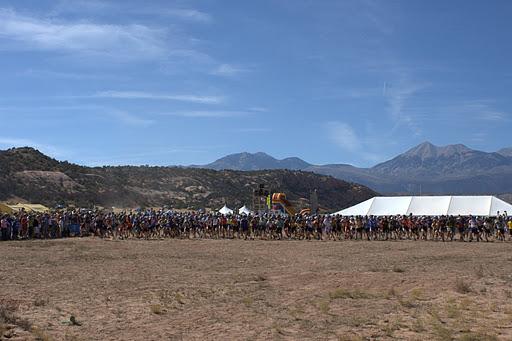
<point>429,206</point>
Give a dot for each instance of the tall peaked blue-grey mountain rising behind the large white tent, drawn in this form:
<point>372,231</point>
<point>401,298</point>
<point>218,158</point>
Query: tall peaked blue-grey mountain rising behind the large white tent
<point>455,169</point>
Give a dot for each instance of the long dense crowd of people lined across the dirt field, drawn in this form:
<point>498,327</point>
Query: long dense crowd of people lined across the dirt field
<point>157,224</point>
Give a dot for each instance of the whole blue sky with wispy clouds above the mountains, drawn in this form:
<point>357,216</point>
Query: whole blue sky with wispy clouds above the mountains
<point>186,82</point>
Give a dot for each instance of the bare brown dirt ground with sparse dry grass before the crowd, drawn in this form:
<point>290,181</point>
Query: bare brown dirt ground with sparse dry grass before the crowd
<point>253,290</point>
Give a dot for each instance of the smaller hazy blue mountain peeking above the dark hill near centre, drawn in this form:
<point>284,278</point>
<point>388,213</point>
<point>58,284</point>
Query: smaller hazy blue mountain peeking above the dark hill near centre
<point>256,161</point>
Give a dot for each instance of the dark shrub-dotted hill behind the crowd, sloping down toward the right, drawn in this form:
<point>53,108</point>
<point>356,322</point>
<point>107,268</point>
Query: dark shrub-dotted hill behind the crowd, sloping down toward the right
<point>28,175</point>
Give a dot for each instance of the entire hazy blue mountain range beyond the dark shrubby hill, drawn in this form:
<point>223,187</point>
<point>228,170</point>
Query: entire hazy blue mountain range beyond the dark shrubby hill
<point>424,169</point>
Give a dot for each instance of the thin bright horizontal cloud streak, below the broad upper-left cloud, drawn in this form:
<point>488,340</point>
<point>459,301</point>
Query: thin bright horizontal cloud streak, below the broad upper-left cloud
<point>158,96</point>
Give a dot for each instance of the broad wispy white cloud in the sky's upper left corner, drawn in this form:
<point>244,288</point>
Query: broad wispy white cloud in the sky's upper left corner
<point>120,41</point>
